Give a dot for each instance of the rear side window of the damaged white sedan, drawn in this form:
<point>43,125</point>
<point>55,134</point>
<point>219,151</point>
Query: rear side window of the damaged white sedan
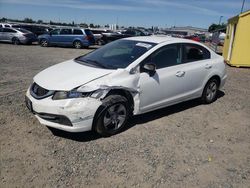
<point>194,52</point>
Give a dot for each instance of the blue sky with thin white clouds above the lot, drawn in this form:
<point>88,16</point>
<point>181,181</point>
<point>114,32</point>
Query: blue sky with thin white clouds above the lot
<point>147,13</point>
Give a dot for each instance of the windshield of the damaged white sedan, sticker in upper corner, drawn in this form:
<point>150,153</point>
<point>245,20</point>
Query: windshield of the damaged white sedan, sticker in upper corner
<point>118,54</point>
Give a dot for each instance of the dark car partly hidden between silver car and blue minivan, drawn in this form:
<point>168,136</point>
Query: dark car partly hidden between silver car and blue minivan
<point>36,29</point>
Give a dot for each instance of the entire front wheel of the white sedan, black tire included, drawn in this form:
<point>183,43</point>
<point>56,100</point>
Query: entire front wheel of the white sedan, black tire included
<point>115,111</point>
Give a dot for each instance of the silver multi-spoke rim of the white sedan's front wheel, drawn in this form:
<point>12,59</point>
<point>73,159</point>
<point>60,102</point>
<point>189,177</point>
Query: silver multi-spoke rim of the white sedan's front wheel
<point>114,117</point>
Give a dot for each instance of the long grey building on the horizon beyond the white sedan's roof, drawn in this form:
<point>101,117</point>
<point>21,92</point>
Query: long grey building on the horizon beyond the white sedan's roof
<point>187,31</point>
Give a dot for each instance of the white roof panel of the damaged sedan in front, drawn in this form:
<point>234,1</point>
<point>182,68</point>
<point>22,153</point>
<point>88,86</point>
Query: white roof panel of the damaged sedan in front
<point>160,39</point>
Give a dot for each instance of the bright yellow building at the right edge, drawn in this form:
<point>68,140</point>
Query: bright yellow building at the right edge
<point>236,49</point>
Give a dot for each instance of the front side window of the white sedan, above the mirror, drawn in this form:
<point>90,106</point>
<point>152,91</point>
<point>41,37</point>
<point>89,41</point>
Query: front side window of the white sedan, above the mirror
<point>166,56</point>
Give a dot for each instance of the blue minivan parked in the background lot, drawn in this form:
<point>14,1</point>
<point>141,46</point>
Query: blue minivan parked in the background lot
<point>75,37</point>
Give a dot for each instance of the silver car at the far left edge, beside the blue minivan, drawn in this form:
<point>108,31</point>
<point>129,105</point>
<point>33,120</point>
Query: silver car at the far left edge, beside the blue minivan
<point>17,36</point>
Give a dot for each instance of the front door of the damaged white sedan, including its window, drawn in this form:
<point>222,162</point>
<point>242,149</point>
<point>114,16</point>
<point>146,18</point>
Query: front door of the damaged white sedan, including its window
<point>166,83</point>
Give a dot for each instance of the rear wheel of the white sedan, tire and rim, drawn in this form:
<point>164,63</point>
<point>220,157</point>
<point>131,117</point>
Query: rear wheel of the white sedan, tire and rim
<point>210,91</point>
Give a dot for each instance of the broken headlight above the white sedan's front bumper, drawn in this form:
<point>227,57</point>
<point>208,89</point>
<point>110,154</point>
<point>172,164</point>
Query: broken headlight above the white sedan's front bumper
<point>58,95</point>
